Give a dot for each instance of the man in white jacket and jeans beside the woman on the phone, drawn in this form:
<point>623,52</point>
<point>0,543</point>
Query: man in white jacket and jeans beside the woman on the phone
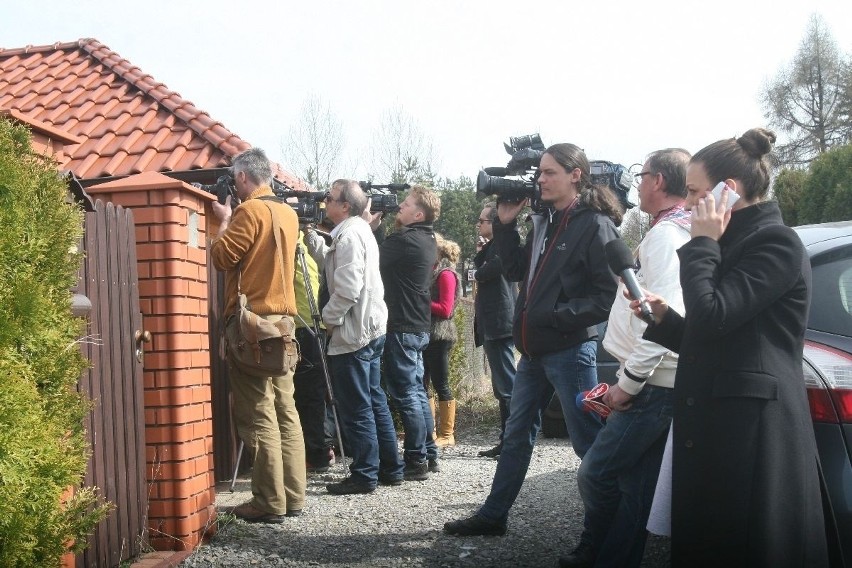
<point>619,472</point>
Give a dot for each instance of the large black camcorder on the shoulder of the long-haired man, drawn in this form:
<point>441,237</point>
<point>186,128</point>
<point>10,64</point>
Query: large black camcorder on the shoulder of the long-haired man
<point>526,152</point>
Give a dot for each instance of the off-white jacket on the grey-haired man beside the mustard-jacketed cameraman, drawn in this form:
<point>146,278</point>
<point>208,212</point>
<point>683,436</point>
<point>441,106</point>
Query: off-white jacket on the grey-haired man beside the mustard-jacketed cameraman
<point>356,313</point>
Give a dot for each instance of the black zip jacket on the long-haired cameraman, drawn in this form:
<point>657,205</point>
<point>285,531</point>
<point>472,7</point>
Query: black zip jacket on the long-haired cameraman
<point>567,290</point>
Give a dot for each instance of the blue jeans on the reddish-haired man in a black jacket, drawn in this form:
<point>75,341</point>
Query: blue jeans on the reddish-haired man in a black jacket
<point>404,381</point>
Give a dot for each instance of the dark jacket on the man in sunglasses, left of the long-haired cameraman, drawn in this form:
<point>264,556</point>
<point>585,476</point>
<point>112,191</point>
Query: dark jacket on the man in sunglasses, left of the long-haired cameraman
<point>495,297</point>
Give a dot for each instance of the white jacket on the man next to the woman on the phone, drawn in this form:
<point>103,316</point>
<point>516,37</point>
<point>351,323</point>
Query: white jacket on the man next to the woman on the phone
<point>658,272</point>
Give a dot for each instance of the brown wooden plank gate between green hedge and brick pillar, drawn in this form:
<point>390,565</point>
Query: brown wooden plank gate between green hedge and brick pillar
<point>116,426</point>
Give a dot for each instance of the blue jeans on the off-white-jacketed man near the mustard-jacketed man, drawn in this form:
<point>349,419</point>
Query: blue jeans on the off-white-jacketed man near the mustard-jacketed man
<point>363,409</point>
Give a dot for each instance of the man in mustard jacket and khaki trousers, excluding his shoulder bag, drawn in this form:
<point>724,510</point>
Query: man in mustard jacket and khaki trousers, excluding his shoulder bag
<point>264,409</point>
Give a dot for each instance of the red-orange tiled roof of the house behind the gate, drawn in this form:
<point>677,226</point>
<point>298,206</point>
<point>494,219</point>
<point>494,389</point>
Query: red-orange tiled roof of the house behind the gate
<point>130,123</point>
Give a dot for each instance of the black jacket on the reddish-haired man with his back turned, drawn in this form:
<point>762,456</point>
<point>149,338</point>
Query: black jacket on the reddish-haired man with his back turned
<point>406,259</point>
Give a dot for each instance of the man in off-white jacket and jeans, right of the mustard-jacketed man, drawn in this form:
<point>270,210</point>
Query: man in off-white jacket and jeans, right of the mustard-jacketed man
<point>356,318</point>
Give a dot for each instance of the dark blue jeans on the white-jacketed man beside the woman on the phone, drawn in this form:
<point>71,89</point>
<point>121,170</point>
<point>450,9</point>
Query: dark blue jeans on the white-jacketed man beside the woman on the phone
<point>618,477</point>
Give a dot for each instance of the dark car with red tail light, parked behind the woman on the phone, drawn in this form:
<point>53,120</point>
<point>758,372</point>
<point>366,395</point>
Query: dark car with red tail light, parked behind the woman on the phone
<point>828,375</point>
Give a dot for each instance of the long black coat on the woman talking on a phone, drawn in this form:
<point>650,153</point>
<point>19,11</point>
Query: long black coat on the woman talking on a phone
<point>745,487</point>
